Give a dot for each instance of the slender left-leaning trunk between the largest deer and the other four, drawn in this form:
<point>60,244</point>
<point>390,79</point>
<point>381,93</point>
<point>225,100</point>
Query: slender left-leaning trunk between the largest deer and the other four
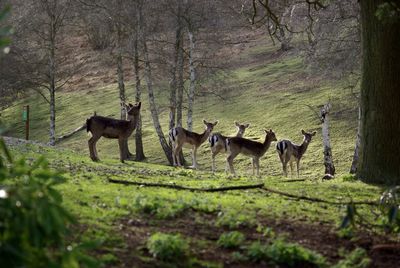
<point>149,82</point>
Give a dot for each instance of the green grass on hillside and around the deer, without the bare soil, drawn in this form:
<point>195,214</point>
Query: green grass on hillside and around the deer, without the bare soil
<point>272,94</point>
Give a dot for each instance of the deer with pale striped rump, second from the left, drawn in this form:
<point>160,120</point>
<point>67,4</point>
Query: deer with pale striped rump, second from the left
<point>180,137</point>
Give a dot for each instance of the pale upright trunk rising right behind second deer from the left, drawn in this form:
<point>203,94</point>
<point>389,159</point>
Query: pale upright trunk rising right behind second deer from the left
<point>192,81</point>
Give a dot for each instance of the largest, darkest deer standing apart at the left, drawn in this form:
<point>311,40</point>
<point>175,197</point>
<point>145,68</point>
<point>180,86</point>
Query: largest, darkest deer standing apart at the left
<point>111,128</point>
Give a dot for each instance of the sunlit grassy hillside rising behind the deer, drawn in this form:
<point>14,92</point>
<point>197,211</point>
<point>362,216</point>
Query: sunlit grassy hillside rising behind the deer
<point>265,89</point>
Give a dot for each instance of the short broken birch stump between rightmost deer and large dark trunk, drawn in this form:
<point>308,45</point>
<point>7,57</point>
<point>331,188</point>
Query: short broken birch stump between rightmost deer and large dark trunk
<point>328,161</point>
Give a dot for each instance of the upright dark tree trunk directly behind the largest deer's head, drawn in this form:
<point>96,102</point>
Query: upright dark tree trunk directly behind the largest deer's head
<point>138,135</point>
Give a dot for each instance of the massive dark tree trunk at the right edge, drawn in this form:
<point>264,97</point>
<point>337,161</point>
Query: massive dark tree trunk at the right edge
<point>380,95</point>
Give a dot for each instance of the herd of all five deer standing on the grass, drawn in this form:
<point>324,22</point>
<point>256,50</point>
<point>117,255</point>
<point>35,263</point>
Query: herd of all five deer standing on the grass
<point>179,137</point>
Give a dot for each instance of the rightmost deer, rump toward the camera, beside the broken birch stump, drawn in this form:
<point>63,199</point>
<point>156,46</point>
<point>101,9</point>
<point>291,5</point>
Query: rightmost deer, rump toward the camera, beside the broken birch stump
<point>289,152</point>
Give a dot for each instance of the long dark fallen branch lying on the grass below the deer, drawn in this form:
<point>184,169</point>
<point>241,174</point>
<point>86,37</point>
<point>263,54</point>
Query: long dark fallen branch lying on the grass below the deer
<point>179,187</point>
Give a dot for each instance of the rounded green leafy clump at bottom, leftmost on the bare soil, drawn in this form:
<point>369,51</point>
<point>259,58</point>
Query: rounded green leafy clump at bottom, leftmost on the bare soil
<point>167,247</point>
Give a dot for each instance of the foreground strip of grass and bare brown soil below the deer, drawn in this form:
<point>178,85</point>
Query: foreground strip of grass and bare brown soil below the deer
<point>124,217</point>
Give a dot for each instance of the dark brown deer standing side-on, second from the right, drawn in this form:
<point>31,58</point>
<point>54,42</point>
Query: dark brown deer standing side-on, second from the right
<point>254,149</point>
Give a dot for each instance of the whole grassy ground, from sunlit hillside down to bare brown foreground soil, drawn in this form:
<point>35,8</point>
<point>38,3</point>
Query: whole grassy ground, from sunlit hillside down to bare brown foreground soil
<point>263,87</point>
